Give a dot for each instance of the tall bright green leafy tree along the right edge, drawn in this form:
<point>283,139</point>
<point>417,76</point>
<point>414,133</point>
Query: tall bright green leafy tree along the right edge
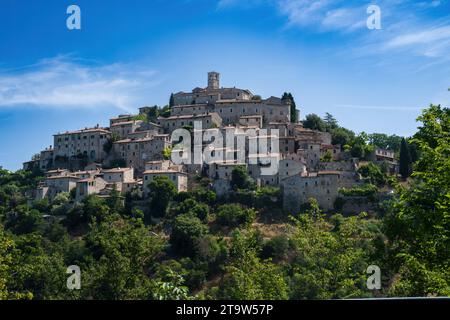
<point>418,223</point>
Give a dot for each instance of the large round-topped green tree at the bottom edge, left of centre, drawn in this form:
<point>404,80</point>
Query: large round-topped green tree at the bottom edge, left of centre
<point>122,252</point>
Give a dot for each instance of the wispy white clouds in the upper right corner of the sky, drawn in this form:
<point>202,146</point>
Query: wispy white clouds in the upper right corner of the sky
<point>407,25</point>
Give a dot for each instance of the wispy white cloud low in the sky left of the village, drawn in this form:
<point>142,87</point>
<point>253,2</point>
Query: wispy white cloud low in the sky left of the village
<point>65,82</point>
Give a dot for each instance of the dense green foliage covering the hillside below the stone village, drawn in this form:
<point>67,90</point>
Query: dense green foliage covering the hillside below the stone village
<point>193,245</point>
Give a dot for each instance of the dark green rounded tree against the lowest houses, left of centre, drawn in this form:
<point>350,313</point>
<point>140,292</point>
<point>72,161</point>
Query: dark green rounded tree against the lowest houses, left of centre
<point>162,191</point>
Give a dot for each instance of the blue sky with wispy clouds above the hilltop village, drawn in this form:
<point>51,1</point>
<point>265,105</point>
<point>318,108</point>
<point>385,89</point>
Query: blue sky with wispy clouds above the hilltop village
<point>134,53</point>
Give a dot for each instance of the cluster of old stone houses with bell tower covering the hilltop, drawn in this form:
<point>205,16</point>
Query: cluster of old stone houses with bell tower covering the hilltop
<point>131,152</point>
